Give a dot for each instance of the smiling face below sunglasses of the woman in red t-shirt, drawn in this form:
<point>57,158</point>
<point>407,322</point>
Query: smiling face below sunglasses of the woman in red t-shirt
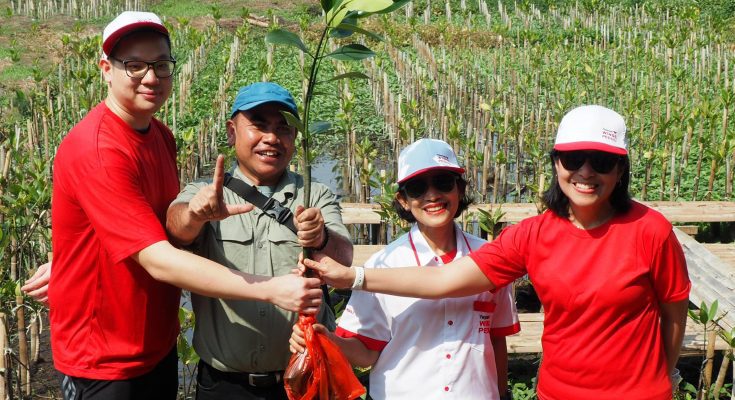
<point>588,191</point>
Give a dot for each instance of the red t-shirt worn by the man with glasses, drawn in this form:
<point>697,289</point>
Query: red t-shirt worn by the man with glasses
<point>112,186</point>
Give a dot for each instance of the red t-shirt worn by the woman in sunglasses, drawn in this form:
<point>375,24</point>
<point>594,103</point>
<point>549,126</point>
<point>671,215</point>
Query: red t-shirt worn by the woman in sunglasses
<point>601,290</point>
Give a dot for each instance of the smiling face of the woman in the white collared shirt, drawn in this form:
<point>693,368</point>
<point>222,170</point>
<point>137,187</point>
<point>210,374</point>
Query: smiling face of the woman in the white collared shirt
<point>435,208</point>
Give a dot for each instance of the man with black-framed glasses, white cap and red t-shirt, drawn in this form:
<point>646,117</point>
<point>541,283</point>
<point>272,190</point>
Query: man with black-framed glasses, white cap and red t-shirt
<point>114,292</point>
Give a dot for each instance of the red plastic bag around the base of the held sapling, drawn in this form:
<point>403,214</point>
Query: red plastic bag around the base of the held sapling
<point>321,372</point>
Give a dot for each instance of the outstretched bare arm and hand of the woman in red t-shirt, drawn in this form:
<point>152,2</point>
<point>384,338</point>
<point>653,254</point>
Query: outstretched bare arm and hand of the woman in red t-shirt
<point>459,278</point>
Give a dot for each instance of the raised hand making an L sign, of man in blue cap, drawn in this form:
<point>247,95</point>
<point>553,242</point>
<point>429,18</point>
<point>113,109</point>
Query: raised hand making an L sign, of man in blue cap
<point>184,221</point>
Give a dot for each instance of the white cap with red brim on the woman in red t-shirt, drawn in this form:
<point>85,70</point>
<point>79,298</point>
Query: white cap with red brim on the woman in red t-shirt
<point>592,128</point>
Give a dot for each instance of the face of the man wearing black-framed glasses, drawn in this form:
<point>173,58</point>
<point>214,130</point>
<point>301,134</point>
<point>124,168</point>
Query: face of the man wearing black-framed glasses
<point>135,100</point>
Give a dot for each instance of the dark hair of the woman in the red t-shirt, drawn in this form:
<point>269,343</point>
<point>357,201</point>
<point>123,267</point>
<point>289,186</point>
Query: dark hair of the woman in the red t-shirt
<point>558,202</point>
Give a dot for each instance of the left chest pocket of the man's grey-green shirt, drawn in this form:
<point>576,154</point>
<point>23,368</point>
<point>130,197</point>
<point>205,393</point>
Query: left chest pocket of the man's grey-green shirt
<point>232,244</point>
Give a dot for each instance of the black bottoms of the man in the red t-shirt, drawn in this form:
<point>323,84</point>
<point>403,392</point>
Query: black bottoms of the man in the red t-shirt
<point>162,383</point>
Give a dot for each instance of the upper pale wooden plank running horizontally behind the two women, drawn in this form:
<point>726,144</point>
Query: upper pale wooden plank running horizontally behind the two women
<point>675,211</point>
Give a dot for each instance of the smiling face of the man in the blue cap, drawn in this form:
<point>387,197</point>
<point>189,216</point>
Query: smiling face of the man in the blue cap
<point>264,143</point>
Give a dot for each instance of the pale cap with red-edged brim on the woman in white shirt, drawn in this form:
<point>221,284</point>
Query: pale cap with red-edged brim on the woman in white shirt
<point>424,155</point>
